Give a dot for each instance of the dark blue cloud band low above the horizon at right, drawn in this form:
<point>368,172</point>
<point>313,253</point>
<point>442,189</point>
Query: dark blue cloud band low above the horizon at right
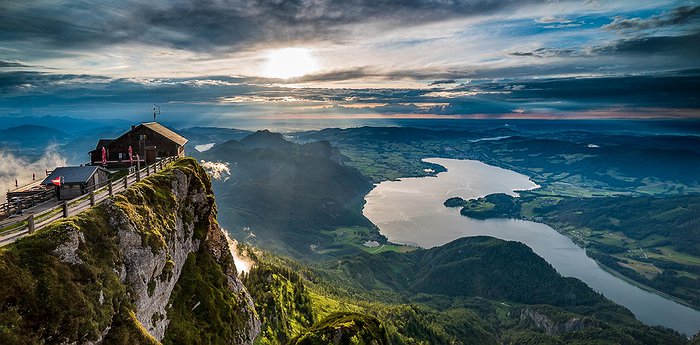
<point>490,98</point>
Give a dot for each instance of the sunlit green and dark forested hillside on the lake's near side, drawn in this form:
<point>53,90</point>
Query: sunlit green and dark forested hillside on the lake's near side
<point>365,298</point>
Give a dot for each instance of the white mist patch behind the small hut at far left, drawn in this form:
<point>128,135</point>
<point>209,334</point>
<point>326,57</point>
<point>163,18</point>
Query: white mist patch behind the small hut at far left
<point>18,168</point>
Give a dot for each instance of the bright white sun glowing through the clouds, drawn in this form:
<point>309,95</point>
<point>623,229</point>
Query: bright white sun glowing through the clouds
<point>289,63</point>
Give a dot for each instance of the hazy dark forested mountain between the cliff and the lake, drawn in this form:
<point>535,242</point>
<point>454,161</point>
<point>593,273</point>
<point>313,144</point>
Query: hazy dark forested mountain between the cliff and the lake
<point>286,195</point>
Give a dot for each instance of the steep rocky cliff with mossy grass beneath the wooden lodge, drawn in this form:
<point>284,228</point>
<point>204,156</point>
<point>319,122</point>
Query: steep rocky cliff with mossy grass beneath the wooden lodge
<point>115,272</point>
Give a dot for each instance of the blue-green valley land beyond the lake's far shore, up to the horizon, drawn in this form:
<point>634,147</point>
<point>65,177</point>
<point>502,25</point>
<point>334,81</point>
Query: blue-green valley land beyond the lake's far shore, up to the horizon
<point>626,175</point>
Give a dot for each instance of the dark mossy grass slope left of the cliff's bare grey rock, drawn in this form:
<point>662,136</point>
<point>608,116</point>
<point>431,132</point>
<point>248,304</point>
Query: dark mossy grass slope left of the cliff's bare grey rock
<point>44,298</point>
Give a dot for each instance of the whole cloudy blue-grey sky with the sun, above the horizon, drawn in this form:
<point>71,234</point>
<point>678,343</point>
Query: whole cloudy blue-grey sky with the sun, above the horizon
<point>212,62</point>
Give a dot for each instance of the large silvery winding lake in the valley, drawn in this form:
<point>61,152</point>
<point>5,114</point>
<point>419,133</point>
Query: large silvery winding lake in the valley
<point>411,211</point>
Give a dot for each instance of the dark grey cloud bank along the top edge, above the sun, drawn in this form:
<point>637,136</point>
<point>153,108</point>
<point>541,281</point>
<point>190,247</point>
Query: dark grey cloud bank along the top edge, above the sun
<point>208,24</point>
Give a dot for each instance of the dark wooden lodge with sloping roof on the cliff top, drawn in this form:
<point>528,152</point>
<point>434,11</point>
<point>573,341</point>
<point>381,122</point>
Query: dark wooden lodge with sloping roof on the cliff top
<point>149,142</point>
